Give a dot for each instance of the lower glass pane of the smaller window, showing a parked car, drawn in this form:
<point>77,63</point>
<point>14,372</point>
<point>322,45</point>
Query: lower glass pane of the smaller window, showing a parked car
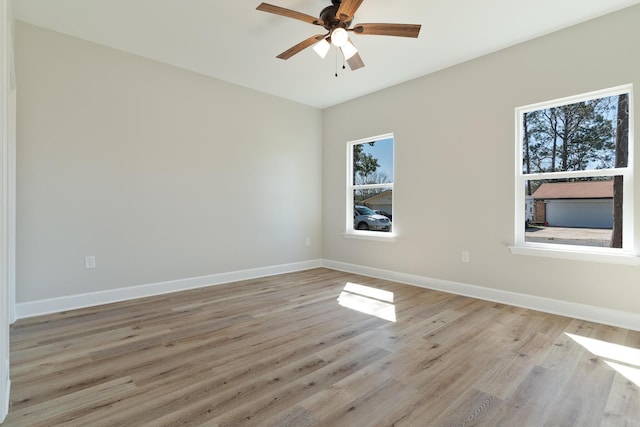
<point>372,209</point>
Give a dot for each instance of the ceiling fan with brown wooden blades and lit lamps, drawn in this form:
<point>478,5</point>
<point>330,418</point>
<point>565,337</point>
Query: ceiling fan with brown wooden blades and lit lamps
<point>337,19</point>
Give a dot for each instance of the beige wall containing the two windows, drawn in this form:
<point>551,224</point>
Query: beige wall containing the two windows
<point>454,172</point>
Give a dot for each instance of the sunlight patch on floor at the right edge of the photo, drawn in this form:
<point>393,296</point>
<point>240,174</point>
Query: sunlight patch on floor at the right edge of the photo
<point>624,360</point>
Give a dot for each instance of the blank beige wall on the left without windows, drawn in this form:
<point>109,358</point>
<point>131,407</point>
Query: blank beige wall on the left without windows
<point>160,173</point>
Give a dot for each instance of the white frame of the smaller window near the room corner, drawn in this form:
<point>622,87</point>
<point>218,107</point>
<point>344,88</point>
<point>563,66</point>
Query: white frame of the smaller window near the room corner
<point>350,232</point>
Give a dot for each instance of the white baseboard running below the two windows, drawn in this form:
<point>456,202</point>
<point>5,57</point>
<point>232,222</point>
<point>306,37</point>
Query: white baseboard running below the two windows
<point>563,308</point>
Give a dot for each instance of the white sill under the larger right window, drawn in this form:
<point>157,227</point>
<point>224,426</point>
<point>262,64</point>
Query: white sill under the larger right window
<point>614,256</point>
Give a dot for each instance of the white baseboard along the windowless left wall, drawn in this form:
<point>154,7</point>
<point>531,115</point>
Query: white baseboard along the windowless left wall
<point>71,302</point>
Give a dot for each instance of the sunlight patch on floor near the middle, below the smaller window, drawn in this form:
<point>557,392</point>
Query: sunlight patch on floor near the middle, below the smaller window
<point>368,300</point>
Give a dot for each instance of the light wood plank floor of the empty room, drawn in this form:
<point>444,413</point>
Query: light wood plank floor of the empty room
<point>282,351</point>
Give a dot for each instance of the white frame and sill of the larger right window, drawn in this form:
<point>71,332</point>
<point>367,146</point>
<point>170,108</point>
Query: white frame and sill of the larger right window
<point>628,254</point>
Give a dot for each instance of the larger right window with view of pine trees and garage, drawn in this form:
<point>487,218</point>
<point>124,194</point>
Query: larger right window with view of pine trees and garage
<point>574,174</point>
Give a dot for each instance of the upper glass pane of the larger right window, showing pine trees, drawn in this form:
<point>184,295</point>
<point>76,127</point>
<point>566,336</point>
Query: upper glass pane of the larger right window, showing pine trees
<point>588,135</point>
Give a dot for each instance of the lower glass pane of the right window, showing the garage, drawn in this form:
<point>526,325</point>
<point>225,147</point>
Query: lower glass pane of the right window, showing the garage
<point>576,212</point>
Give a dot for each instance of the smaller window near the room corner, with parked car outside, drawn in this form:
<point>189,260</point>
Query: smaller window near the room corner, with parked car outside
<point>370,187</point>
